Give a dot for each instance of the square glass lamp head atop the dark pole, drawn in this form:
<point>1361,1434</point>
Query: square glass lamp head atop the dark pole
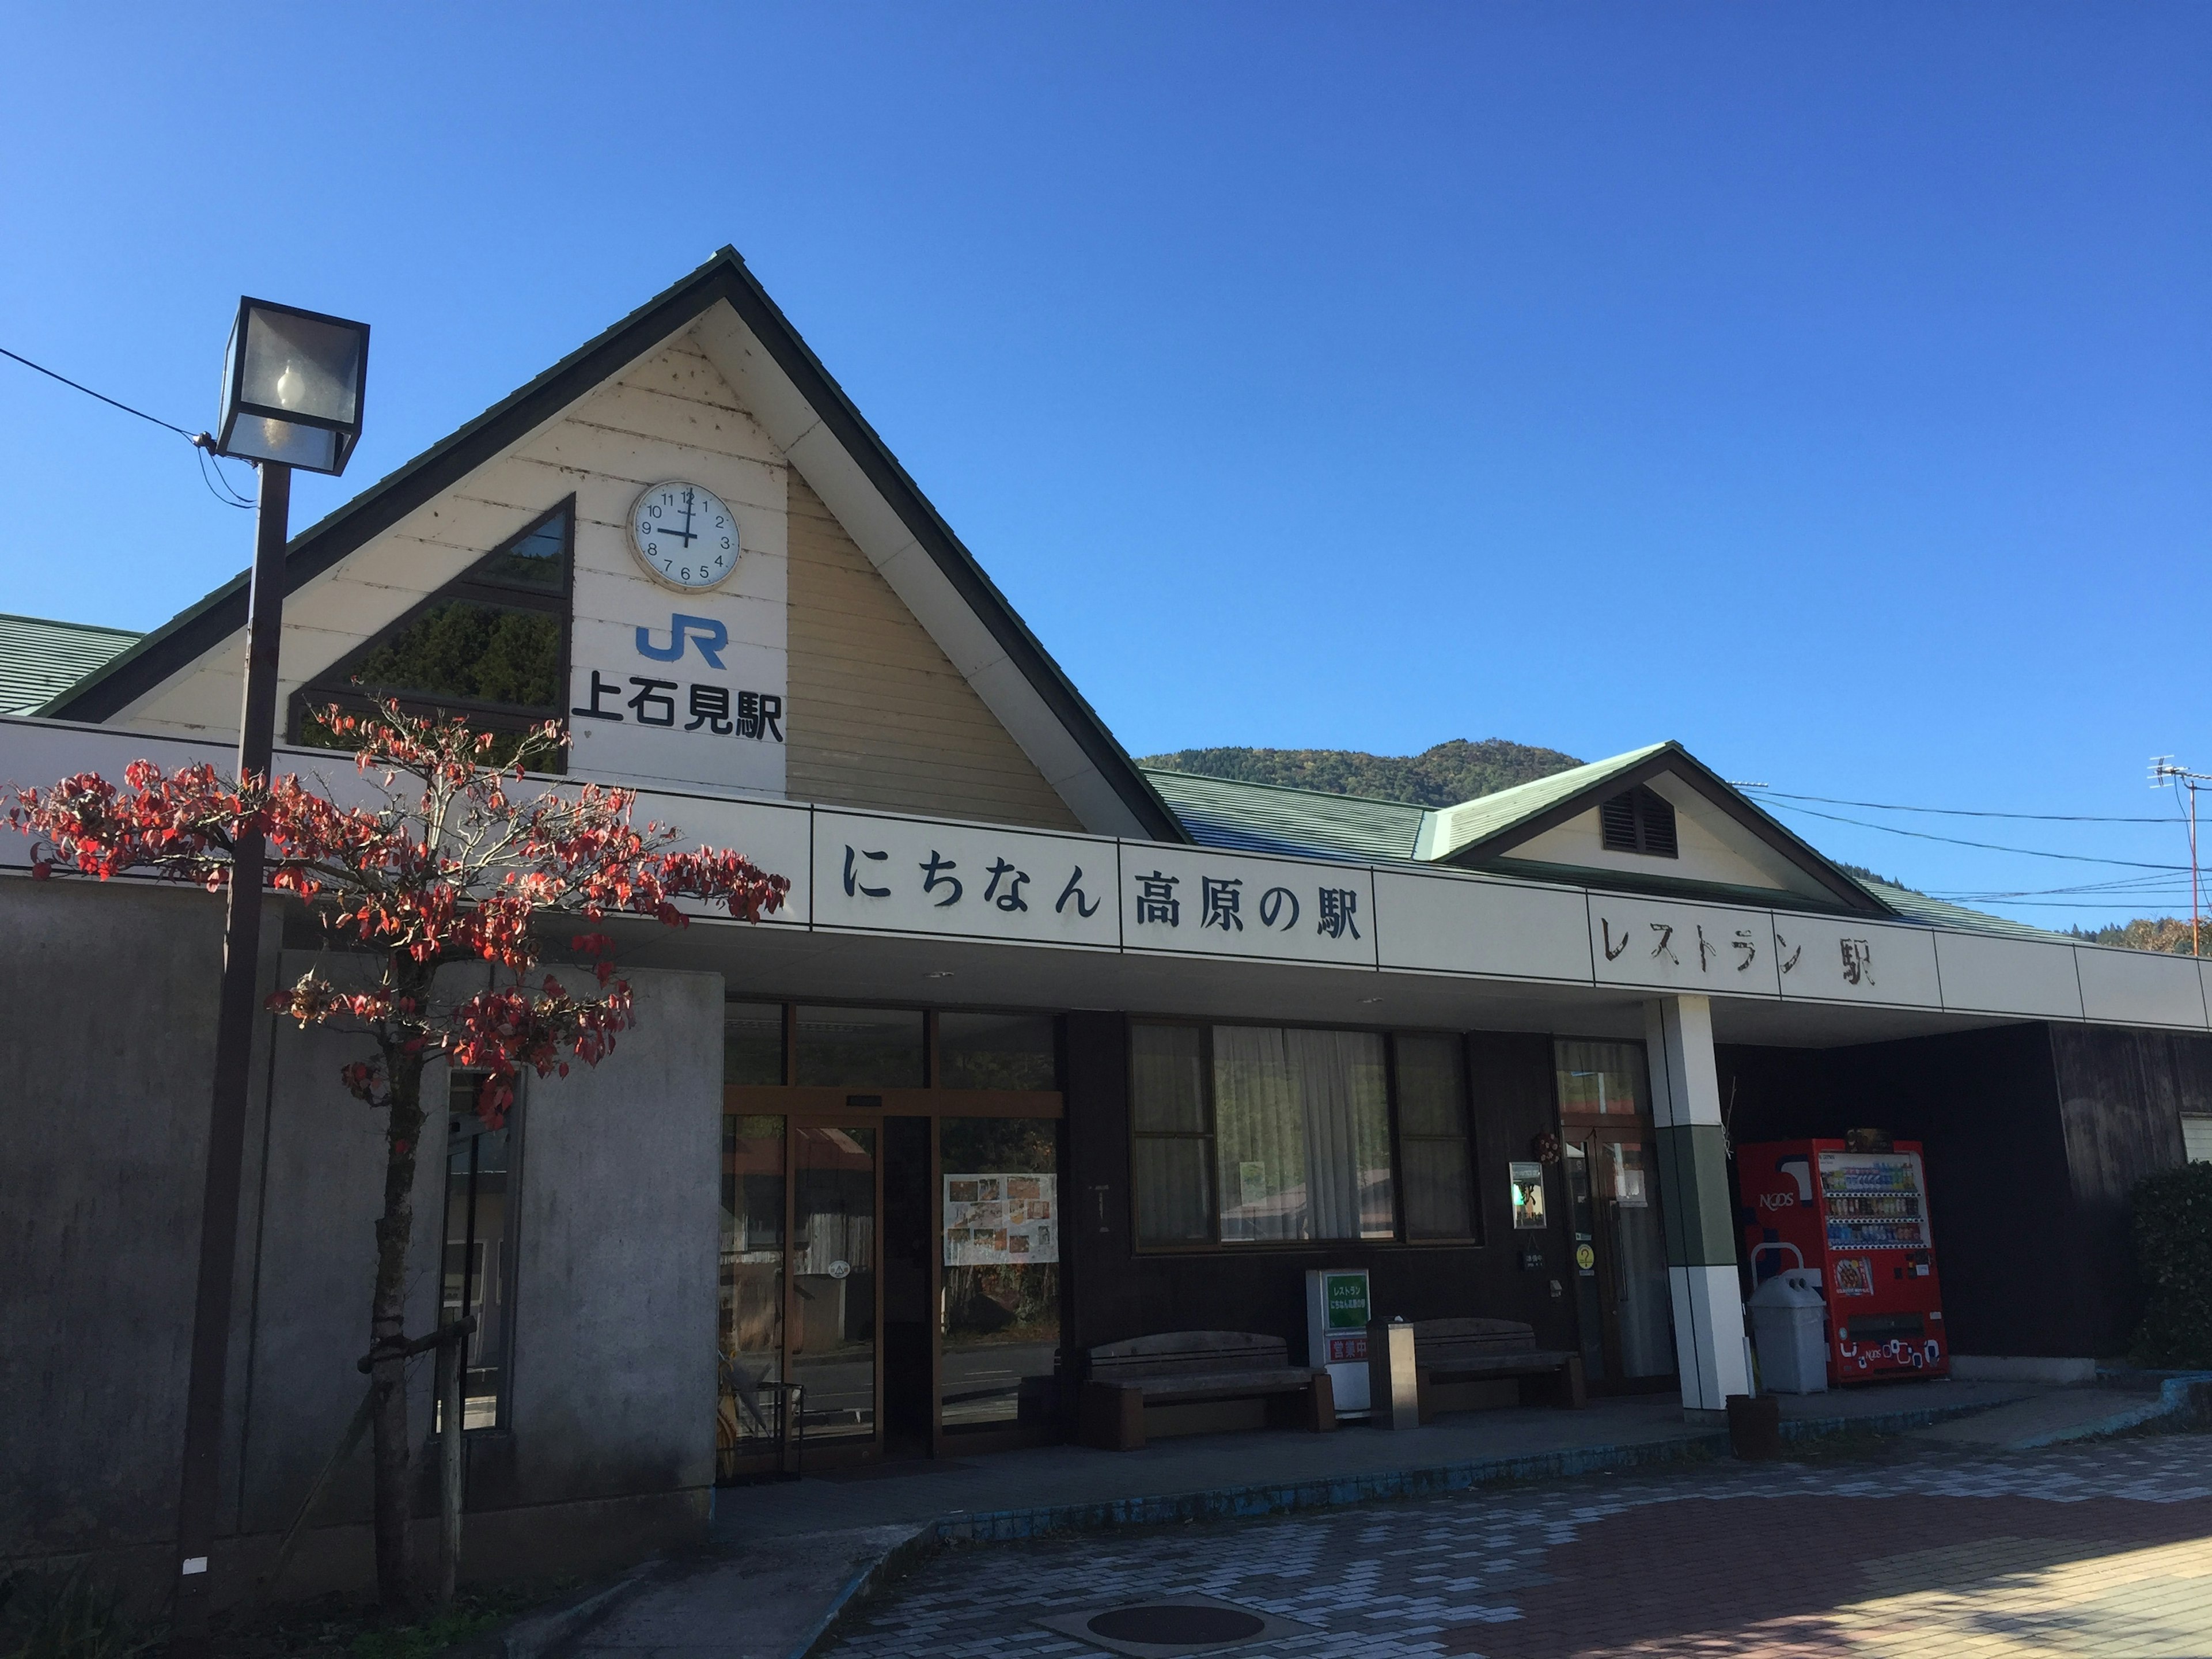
<point>293,388</point>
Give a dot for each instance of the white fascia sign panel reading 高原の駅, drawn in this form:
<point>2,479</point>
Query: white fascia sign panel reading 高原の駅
<point>1224,904</point>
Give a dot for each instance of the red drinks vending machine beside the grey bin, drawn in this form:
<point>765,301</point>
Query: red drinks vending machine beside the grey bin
<point>1861,1220</point>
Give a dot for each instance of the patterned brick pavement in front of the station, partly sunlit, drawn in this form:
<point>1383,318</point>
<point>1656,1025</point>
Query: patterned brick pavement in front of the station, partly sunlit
<point>2094,1550</point>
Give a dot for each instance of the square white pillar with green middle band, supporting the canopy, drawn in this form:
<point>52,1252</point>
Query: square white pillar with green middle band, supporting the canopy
<point>1698,1207</point>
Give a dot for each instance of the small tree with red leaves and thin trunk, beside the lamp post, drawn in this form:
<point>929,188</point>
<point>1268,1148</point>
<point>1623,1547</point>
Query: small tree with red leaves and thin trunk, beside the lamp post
<point>439,864</point>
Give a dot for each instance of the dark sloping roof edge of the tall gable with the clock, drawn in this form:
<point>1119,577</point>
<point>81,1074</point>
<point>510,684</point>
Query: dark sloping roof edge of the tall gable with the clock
<point>724,278</point>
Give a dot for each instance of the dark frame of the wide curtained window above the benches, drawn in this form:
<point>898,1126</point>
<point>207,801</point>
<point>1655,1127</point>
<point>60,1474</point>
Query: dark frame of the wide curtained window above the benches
<point>1211,1136</point>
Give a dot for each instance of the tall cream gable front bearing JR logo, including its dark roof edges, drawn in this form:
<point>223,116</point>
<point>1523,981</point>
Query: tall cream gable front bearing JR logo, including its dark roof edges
<point>720,404</point>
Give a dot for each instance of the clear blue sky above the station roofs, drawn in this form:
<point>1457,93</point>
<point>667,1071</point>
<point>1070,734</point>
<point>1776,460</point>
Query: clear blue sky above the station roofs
<point>1826,388</point>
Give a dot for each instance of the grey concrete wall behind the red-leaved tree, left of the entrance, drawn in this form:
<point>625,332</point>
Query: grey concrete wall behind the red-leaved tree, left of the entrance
<point>609,1448</point>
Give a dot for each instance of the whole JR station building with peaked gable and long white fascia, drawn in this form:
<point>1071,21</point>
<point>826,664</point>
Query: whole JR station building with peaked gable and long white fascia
<point>1045,1052</point>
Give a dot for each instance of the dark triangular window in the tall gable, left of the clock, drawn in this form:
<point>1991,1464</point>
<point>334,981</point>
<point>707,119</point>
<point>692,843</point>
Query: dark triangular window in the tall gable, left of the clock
<point>492,645</point>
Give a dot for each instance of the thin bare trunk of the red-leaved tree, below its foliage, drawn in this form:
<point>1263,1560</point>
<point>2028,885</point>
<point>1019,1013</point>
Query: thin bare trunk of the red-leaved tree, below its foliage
<point>388,1328</point>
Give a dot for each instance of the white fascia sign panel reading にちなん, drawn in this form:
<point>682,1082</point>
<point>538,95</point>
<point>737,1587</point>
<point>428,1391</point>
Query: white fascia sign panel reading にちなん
<point>963,881</point>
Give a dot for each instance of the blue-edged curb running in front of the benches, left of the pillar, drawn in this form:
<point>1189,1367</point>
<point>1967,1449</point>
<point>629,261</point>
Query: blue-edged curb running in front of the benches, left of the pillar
<point>1238,1503</point>
